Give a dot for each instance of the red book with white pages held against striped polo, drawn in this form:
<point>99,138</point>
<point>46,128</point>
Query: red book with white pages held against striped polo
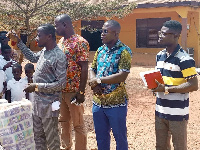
<point>149,78</point>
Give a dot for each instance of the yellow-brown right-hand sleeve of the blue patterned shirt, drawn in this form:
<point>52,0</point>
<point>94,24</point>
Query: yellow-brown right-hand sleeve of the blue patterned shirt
<point>125,61</point>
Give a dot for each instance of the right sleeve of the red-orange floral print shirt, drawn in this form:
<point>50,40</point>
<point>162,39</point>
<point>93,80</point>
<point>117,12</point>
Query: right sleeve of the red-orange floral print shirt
<point>83,51</point>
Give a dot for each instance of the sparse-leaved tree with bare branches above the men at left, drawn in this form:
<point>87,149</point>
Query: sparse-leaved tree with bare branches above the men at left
<point>25,16</point>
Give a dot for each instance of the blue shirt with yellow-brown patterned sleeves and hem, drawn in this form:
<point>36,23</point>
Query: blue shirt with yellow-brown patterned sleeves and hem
<point>107,62</point>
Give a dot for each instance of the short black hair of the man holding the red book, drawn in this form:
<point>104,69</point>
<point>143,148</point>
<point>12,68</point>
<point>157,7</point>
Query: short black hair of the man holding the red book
<point>173,25</point>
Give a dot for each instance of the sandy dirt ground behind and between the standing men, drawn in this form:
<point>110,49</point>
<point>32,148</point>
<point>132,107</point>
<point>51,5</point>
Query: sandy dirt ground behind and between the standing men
<point>141,113</point>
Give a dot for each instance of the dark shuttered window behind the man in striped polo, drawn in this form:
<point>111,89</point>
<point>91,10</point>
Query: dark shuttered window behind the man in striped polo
<point>147,32</point>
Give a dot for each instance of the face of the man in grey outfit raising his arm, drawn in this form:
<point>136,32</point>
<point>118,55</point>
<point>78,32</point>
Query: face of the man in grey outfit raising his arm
<point>42,39</point>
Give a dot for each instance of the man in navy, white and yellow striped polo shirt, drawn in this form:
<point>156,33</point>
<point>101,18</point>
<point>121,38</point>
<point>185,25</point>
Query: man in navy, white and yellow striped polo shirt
<point>180,78</point>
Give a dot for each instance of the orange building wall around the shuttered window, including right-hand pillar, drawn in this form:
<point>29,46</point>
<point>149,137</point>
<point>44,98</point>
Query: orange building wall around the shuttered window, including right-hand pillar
<point>146,56</point>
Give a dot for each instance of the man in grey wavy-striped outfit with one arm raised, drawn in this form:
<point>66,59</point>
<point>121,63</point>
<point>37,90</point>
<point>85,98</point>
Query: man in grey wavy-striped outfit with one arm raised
<point>49,79</point>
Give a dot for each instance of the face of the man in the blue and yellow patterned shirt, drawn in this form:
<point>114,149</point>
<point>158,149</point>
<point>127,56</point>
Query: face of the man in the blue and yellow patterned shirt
<point>108,34</point>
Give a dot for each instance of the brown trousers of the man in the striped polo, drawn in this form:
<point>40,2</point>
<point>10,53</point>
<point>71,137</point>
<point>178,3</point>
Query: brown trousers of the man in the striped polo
<point>178,130</point>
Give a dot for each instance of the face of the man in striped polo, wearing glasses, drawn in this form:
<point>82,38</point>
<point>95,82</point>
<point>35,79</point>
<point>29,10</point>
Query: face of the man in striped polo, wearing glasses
<point>166,36</point>
